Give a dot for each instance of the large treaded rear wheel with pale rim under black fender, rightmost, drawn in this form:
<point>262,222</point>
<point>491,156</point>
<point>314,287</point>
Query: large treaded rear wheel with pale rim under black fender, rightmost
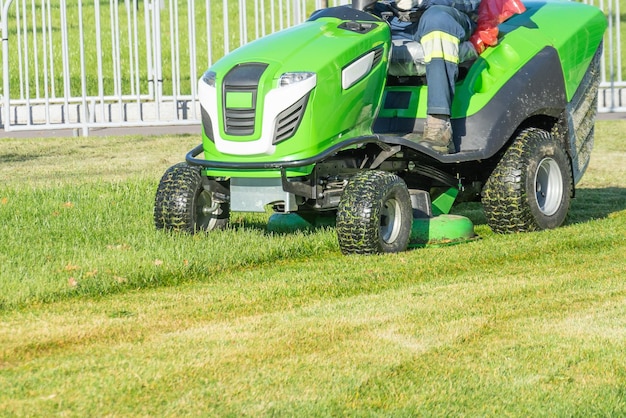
<point>531,187</point>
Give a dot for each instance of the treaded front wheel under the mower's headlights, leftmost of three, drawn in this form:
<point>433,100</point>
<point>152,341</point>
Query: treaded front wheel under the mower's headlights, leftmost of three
<point>182,204</point>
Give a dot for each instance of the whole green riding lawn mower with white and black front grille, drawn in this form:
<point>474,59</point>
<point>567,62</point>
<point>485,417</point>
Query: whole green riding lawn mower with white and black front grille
<point>321,123</point>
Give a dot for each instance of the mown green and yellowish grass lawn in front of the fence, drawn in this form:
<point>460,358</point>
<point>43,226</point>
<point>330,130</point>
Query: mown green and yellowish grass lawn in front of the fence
<point>102,315</point>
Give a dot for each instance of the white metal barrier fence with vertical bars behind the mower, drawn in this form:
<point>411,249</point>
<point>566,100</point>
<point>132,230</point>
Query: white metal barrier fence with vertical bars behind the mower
<point>84,64</point>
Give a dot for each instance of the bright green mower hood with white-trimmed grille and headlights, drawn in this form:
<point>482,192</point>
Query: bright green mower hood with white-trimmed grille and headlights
<point>296,92</point>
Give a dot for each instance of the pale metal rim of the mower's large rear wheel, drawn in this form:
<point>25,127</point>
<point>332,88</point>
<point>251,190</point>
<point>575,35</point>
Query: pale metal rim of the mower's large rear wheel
<point>548,186</point>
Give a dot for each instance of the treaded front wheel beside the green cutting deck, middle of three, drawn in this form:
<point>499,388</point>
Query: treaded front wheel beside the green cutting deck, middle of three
<point>374,214</point>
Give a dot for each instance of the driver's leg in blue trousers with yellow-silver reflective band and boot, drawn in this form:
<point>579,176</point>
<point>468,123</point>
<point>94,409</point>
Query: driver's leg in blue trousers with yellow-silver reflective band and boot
<point>440,30</point>
